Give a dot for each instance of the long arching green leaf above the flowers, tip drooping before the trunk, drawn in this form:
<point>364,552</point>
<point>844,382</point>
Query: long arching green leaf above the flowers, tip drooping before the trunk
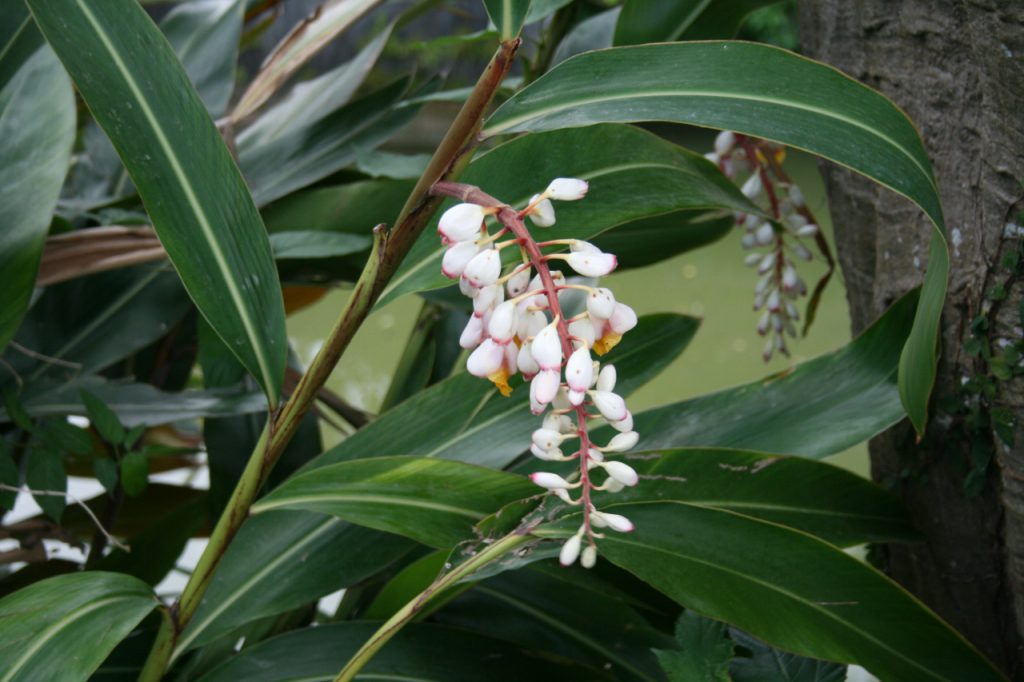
<point>766,93</point>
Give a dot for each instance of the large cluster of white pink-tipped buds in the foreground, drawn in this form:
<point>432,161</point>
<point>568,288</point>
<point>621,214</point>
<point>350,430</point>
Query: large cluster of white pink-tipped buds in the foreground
<point>519,327</point>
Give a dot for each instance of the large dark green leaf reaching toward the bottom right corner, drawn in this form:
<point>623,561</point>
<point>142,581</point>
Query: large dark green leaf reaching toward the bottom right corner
<point>789,589</point>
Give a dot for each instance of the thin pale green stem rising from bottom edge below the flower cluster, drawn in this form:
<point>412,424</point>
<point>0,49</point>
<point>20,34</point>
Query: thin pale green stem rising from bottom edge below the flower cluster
<point>411,610</point>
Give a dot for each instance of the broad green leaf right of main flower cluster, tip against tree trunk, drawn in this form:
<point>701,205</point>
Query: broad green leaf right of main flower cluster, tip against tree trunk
<point>828,404</point>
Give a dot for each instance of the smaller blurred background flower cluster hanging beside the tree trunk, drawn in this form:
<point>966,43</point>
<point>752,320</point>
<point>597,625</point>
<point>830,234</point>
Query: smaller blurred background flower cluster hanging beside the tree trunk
<point>775,245</point>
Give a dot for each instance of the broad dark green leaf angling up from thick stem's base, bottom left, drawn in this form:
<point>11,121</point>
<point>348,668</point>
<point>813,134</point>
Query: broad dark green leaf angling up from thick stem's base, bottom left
<point>320,555</point>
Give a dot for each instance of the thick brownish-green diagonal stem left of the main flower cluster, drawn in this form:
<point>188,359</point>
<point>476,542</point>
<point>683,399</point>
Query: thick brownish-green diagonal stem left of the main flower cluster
<point>390,249</point>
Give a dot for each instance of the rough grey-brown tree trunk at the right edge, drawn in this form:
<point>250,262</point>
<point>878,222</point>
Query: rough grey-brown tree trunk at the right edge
<point>957,67</point>
